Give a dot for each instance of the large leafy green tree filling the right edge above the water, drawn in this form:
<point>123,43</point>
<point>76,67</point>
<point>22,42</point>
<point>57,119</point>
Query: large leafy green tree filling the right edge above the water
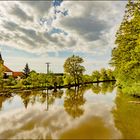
<point>125,57</point>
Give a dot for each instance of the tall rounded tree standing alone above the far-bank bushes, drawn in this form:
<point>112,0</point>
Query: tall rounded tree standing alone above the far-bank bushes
<point>73,67</point>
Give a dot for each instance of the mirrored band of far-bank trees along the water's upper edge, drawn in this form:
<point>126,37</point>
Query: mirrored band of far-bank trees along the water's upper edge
<point>73,100</point>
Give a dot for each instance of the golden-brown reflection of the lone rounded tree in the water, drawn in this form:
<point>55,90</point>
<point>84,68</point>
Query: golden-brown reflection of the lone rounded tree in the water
<point>73,101</point>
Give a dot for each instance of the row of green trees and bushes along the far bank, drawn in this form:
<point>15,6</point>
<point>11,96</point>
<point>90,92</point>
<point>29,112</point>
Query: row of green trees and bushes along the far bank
<point>73,75</point>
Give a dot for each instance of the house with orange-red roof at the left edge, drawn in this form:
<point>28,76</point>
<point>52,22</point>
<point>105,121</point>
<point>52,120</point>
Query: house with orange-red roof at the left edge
<point>8,72</point>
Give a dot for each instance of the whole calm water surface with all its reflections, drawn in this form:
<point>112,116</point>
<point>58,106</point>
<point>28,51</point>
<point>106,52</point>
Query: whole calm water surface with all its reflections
<point>94,111</point>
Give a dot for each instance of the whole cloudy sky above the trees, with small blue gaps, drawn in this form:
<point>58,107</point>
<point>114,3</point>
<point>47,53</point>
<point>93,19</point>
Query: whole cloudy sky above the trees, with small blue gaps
<point>43,31</point>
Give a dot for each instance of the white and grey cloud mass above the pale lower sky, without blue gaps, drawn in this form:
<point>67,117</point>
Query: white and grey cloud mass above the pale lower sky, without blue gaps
<point>87,25</point>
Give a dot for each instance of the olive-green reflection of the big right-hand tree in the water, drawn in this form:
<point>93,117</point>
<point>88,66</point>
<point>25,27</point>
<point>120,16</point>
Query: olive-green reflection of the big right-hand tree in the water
<point>127,116</point>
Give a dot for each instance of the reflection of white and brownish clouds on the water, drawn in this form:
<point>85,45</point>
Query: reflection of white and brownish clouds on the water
<point>36,123</point>
